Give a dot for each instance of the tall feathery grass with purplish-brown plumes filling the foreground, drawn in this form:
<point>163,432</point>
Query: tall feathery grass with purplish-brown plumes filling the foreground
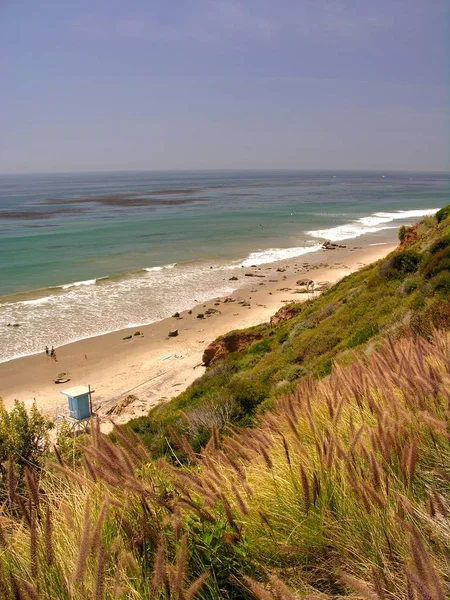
<point>343,491</point>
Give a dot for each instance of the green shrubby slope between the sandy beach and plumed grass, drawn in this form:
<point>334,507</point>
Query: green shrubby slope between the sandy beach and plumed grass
<point>408,291</point>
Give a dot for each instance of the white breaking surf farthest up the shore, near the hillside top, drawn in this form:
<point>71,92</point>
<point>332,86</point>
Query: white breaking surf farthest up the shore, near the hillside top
<point>376,222</point>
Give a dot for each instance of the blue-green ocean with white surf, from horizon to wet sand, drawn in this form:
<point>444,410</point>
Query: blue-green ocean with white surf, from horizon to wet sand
<point>89,253</point>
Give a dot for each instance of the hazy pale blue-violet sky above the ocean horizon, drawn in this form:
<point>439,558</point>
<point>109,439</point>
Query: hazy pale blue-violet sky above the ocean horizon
<point>193,84</point>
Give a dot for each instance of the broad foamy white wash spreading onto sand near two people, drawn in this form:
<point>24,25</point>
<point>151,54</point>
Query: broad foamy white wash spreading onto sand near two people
<point>88,310</point>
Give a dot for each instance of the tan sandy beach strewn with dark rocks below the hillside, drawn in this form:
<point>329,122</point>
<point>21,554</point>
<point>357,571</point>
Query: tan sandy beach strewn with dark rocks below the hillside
<point>154,367</point>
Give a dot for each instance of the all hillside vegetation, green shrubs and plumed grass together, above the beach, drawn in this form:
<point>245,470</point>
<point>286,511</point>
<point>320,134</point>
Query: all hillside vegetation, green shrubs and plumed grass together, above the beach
<point>313,464</point>
